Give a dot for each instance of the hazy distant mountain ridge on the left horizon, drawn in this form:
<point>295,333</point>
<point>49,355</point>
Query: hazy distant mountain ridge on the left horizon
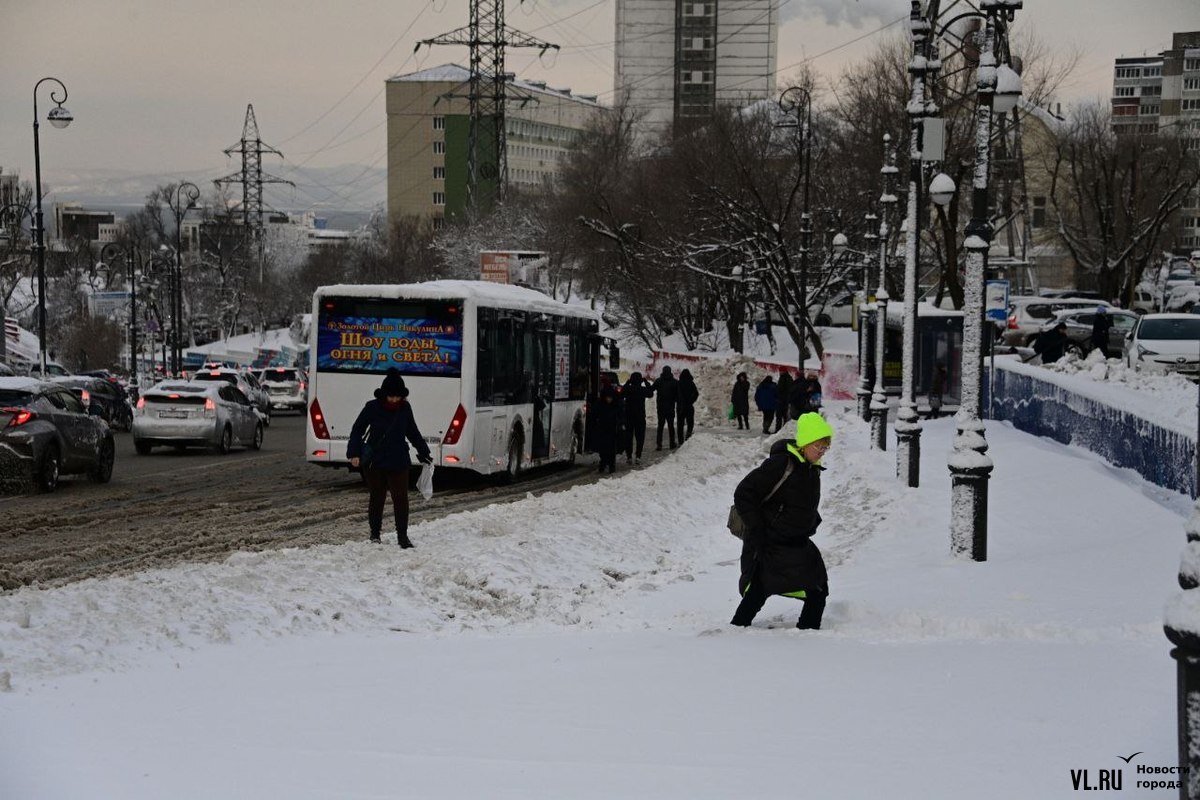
<point>351,189</point>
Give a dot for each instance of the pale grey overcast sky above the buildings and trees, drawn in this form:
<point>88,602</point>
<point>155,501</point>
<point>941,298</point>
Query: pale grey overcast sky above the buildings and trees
<point>163,86</point>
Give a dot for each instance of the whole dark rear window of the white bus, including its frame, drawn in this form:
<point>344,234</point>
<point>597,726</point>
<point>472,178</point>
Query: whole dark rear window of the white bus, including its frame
<point>369,335</point>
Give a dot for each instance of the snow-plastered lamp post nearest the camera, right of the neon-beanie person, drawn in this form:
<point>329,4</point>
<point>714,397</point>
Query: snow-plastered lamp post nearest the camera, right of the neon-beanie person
<point>969,462</point>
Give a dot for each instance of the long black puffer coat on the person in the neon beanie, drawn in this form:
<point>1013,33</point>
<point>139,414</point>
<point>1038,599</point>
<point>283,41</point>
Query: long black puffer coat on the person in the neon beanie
<point>778,549</point>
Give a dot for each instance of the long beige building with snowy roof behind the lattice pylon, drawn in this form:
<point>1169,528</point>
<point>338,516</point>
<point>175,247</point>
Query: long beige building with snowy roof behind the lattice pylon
<point>428,129</point>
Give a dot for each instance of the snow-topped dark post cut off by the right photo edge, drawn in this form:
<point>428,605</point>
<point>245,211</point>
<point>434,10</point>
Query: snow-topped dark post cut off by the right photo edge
<point>1183,628</point>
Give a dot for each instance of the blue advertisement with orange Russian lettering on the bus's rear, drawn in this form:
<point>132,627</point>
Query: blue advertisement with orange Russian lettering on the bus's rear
<point>415,346</point>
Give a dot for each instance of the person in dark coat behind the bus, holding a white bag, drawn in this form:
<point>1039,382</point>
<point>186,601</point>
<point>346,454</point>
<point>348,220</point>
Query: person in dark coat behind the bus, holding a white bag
<point>379,447</point>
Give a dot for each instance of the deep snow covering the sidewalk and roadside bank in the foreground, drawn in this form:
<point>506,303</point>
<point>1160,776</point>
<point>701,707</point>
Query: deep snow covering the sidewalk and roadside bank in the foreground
<point>577,646</point>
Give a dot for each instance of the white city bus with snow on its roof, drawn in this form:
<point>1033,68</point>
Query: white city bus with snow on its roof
<point>497,375</point>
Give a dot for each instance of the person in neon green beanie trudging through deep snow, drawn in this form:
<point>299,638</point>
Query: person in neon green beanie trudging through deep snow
<point>778,502</point>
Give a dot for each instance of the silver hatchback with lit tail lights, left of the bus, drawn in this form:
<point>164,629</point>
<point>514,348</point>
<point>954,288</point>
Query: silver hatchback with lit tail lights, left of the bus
<point>181,414</point>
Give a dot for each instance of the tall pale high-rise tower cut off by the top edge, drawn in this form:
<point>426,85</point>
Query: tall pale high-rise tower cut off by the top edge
<point>677,61</point>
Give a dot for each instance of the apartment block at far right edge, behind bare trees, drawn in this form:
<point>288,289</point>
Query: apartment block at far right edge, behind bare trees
<point>1161,92</point>
